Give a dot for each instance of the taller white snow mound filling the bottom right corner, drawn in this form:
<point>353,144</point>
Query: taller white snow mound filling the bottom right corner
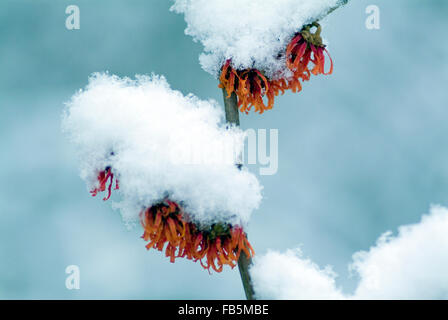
<point>412,265</point>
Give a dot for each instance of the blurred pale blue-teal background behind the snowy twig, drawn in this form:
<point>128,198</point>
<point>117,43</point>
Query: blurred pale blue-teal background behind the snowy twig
<point>360,152</point>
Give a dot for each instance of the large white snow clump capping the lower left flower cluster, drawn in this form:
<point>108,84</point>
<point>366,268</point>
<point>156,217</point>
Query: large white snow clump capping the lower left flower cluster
<point>160,143</point>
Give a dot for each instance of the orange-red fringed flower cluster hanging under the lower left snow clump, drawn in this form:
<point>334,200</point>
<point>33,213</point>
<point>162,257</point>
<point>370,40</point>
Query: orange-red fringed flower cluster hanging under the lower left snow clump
<point>214,246</point>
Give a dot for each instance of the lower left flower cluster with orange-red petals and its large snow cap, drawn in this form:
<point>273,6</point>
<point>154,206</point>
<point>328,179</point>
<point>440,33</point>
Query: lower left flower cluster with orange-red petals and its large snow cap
<point>186,210</point>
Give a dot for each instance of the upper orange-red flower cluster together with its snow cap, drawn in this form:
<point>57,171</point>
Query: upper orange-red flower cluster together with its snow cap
<point>259,49</point>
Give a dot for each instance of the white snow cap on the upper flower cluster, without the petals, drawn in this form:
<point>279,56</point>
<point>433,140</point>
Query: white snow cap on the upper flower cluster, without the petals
<point>250,32</point>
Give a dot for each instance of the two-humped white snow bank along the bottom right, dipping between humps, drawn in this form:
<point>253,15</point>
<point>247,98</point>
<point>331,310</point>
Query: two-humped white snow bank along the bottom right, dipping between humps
<point>411,265</point>
